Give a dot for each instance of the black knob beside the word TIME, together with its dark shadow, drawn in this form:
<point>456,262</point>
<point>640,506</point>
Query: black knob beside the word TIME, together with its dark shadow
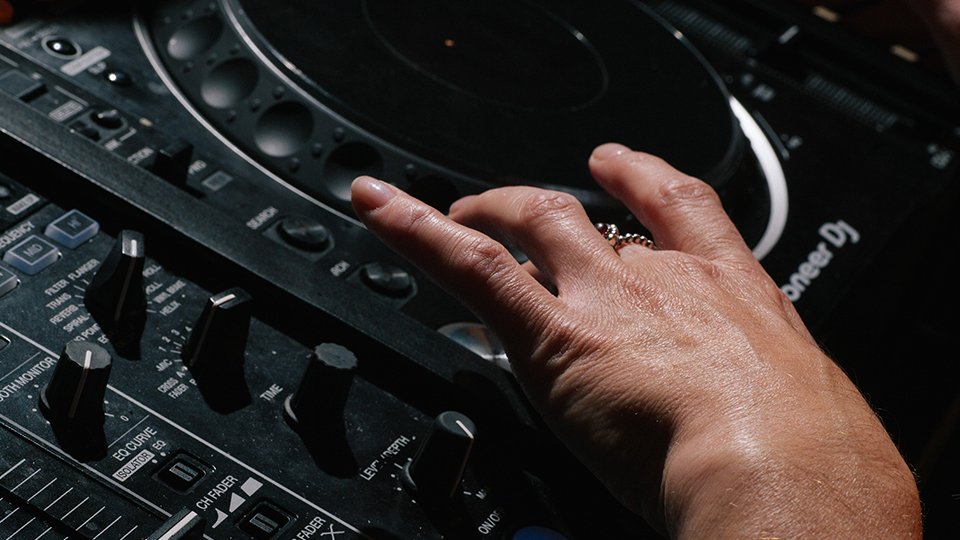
<point>315,410</point>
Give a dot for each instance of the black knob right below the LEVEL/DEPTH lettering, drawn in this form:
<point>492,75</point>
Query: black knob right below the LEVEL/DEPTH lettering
<point>438,466</point>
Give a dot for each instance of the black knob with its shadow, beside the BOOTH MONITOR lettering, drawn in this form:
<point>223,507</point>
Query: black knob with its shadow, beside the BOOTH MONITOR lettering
<point>73,399</point>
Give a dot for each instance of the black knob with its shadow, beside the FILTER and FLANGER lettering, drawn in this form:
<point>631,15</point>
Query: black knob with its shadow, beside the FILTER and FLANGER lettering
<point>116,297</point>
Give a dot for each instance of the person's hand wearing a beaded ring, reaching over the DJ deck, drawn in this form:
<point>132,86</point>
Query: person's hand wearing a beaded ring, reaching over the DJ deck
<point>682,377</point>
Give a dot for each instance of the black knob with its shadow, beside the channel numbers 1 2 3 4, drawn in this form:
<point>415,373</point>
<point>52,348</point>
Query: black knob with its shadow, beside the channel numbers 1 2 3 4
<point>214,352</point>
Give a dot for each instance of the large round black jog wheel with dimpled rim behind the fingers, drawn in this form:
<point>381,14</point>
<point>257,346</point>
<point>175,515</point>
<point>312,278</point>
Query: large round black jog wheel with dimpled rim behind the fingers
<point>446,99</point>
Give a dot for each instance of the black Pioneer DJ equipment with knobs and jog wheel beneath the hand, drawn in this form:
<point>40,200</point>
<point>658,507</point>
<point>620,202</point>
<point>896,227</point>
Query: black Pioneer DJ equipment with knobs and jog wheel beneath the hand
<point>198,338</point>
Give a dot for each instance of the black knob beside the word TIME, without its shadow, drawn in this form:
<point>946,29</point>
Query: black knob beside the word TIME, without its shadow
<point>319,400</point>
